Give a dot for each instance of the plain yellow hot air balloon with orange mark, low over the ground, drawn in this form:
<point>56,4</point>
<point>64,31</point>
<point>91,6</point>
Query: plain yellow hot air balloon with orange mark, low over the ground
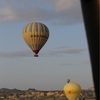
<point>72,90</point>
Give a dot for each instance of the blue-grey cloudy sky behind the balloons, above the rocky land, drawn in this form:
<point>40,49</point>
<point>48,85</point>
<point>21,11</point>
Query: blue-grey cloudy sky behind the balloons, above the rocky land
<point>64,56</point>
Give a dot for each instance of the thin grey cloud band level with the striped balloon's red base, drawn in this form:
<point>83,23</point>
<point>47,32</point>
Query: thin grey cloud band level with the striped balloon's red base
<point>60,51</point>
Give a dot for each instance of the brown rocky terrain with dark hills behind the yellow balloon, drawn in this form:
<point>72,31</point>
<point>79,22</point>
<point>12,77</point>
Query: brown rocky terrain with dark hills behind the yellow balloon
<point>33,94</point>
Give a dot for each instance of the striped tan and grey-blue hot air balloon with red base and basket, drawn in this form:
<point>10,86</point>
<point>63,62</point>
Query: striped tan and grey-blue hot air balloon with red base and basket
<point>35,35</point>
